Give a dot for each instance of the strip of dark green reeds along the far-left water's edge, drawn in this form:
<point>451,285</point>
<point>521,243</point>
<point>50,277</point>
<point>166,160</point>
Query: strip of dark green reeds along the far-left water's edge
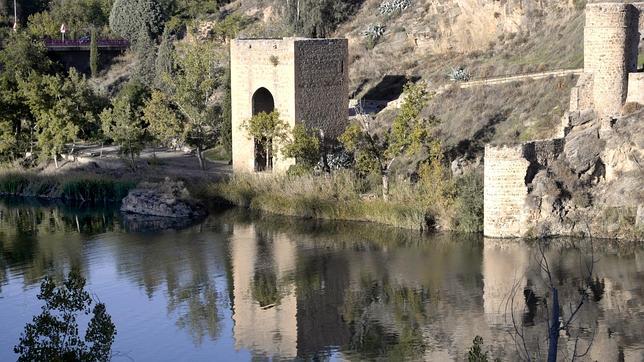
<point>74,187</point>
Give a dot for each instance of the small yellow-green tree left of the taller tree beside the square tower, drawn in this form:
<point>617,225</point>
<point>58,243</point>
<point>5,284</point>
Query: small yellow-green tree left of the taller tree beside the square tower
<point>164,124</point>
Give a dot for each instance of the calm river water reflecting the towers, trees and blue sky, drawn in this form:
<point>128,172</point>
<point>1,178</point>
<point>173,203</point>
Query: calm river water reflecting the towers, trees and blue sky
<point>237,287</point>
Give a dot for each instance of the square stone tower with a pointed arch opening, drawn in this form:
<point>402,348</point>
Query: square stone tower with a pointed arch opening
<point>305,80</point>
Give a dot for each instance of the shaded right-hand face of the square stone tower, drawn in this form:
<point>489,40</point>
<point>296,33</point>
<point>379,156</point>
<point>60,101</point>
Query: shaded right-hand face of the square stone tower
<point>322,84</point>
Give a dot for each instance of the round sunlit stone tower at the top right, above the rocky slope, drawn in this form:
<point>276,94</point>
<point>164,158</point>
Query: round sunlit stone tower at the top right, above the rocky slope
<point>611,39</point>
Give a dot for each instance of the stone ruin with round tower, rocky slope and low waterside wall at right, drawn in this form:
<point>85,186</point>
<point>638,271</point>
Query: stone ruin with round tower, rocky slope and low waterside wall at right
<point>564,185</point>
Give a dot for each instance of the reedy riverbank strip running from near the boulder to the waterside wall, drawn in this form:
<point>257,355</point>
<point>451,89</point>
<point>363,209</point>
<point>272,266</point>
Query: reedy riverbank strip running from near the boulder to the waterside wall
<point>342,196</point>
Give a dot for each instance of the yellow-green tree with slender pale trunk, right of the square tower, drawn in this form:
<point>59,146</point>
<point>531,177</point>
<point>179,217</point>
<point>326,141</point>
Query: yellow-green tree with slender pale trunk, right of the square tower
<point>408,134</point>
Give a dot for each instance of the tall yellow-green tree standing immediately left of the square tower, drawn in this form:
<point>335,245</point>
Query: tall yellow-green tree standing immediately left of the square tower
<point>196,77</point>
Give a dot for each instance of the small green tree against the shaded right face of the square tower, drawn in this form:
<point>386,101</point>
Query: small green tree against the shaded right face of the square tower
<point>304,146</point>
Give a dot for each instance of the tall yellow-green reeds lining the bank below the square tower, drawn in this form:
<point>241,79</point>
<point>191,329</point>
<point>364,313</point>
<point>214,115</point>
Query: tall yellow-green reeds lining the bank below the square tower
<point>339,196</point>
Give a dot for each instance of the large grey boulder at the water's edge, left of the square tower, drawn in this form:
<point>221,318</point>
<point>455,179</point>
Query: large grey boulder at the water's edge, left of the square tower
<point>168,199</point>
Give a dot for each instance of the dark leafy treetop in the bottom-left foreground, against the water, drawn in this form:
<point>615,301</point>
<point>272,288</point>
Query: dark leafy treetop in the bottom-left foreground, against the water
<point>53,335</point>
